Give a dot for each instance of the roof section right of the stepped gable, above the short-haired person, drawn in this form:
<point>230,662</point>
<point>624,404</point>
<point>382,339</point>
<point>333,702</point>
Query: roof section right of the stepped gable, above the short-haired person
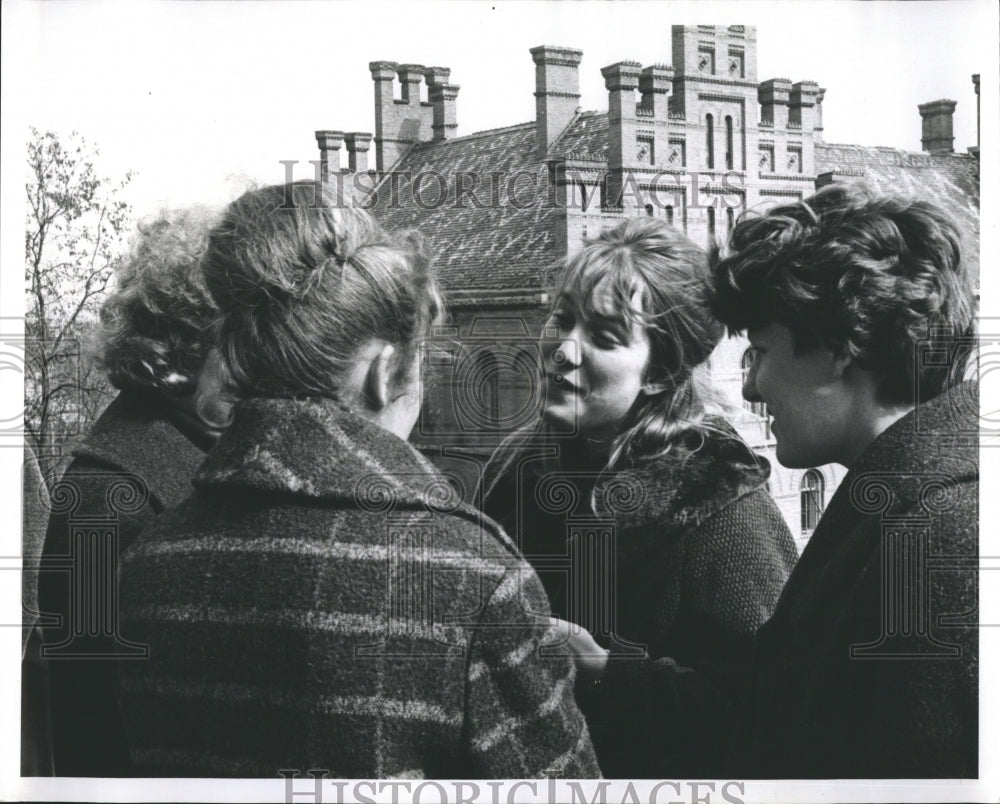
<point>949,180</point>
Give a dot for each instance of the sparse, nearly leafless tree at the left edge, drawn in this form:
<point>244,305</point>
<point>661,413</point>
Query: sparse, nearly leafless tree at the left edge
<point>76,232</point>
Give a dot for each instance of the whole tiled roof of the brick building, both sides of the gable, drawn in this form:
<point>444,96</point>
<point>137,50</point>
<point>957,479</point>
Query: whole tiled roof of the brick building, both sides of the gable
<point>507,242</point>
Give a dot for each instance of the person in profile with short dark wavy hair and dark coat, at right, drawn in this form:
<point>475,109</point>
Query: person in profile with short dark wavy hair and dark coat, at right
<point>860,309</point>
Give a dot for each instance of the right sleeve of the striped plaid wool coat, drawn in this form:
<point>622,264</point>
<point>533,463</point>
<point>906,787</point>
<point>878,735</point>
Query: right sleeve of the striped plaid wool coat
<point>521,719</point>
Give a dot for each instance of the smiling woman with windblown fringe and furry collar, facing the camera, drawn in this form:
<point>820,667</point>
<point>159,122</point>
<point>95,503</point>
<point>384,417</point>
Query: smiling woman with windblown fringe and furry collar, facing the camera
<point>694,552</point>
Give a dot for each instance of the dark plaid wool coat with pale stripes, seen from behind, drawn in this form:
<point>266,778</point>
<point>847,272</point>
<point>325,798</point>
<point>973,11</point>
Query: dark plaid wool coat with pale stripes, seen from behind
<point>324,600</point>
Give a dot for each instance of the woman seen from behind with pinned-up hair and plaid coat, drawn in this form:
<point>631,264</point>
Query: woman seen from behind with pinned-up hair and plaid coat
<point>324,599</point>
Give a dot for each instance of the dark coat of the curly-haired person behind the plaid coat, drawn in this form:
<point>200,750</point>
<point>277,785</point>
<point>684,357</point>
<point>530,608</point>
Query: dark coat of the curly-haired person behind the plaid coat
<point>137,461</point>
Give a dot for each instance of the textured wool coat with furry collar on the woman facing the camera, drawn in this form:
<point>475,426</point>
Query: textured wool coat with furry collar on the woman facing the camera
<point>701,554</point>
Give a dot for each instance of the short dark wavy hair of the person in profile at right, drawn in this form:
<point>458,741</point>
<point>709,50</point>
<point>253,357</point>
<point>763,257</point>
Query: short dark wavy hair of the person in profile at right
<point>868,275</point>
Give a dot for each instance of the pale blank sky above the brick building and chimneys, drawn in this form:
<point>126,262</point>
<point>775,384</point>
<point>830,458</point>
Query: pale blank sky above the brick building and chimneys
<point>198,98</point>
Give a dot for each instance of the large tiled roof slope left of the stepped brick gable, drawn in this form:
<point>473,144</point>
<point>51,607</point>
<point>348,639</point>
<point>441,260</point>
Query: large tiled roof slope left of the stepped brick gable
<point>506,244</point>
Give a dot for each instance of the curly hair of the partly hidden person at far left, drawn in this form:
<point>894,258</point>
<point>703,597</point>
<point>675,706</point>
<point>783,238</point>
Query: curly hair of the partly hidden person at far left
<point>156,328</point>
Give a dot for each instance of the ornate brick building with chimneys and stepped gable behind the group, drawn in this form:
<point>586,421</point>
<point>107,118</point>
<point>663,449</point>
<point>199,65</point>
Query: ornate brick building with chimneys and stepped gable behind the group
<point>696,142</point>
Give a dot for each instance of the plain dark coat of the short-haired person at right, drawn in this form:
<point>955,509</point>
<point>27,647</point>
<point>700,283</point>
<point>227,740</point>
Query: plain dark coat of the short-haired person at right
<point>869,666</point>
